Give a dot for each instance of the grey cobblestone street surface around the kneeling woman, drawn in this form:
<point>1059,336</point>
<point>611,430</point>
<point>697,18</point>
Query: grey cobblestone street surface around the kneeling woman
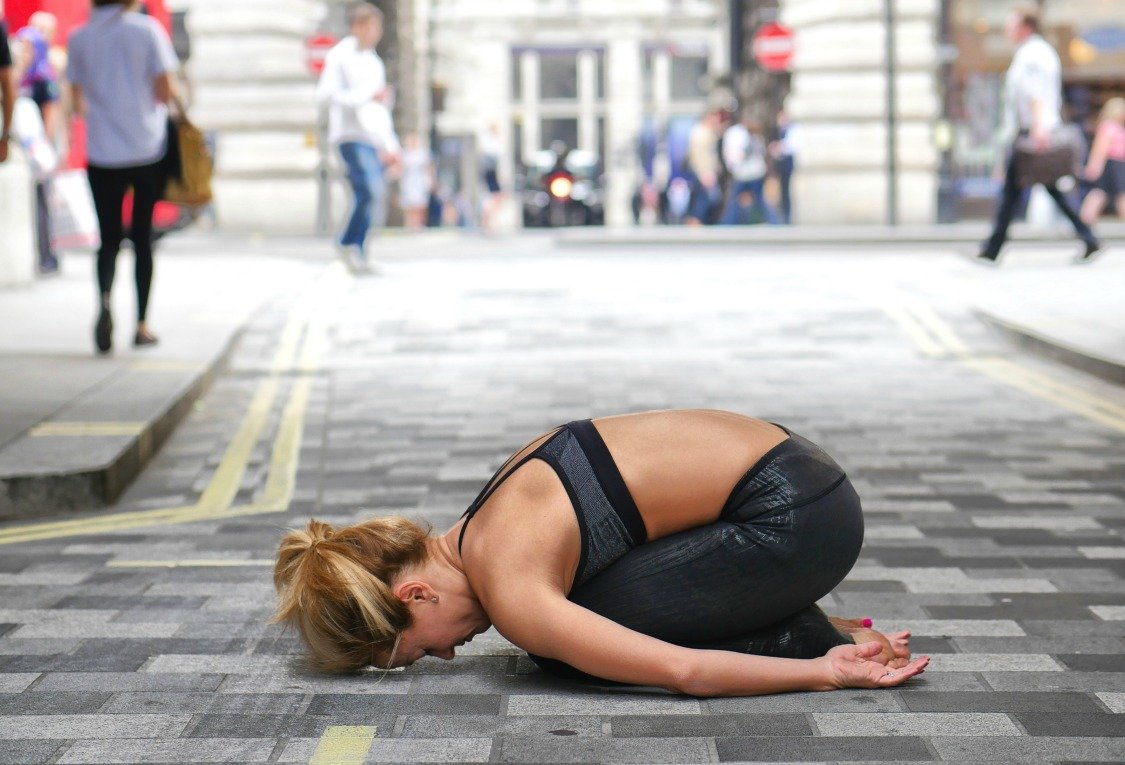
<point>994,488</point>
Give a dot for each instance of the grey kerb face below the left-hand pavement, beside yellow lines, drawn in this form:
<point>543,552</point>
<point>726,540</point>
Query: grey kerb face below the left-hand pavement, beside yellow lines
<point>35,496</point>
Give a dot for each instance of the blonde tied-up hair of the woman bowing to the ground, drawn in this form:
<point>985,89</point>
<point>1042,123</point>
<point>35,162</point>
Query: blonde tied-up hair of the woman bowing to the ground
<point>335,587</point>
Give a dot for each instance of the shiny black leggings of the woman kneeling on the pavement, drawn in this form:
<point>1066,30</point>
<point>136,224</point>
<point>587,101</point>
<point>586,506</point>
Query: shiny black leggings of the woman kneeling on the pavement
<point>748,583</point>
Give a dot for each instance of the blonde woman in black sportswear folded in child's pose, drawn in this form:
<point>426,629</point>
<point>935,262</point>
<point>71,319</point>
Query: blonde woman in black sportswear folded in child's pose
<point>681,550</point>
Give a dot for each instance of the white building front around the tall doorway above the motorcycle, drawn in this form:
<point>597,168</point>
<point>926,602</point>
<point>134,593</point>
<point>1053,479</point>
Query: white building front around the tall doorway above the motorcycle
<point>591,74</point>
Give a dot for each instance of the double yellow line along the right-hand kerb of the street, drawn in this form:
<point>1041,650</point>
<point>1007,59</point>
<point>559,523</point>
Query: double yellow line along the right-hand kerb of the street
<point>935,338</point>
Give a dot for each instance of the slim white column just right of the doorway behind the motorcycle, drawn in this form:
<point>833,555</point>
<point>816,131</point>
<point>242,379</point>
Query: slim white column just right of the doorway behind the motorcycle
<point>625,109</point>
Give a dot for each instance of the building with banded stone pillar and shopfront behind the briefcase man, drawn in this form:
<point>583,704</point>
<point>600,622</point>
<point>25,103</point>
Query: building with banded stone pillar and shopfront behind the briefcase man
<point>943,116</point>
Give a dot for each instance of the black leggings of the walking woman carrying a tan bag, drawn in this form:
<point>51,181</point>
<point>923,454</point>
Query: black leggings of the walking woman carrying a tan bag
<point>109,186</point>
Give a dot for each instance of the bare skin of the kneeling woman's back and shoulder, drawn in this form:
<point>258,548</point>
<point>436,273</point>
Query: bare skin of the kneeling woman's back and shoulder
<point>679,467</point>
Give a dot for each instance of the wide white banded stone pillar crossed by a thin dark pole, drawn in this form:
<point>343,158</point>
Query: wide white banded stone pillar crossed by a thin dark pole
<point>839,102</point>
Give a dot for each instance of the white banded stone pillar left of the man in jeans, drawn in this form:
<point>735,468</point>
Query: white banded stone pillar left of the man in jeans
<point>251,87</point>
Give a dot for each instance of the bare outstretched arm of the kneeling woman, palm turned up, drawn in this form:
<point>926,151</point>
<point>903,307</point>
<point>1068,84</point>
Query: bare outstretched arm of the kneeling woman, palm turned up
<point>559,629</point>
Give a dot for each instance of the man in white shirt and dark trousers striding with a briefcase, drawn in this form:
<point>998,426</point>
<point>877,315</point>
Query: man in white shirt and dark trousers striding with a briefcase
<point>1033,98</point>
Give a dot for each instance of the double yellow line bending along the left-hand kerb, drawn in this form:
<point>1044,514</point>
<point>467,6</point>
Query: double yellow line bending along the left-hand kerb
<point>300,350</point>
